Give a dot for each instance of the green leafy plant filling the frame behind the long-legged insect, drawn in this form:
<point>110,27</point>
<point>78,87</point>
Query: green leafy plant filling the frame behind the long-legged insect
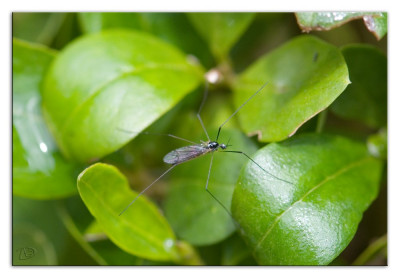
<point>320,124</point>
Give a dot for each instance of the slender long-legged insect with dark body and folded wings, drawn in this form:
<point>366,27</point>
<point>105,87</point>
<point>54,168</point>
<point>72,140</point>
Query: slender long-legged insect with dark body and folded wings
<point>195,150</point>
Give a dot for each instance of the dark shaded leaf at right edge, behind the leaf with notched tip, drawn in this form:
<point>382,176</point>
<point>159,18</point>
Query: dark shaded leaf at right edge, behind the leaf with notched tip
<point>365,99</point>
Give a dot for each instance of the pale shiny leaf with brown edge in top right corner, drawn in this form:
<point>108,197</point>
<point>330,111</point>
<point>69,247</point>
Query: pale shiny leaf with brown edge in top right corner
<point>376,22</point>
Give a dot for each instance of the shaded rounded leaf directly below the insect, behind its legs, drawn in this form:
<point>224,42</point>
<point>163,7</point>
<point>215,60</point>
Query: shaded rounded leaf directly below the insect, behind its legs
<point>194,215</point>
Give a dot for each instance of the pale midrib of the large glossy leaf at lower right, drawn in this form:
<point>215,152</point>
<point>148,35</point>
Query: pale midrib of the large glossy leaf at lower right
<point>328,178</point>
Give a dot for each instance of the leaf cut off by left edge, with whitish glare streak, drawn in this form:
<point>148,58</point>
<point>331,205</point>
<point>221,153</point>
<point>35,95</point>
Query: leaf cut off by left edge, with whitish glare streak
<point>39,171</point>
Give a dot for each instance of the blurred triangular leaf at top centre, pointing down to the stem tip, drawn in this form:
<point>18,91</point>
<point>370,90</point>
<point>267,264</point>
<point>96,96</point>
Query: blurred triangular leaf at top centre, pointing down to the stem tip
<point>221,30</point>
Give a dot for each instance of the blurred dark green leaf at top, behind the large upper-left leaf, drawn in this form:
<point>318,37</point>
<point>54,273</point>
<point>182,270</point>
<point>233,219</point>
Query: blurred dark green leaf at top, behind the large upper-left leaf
<point>173,28</point>
